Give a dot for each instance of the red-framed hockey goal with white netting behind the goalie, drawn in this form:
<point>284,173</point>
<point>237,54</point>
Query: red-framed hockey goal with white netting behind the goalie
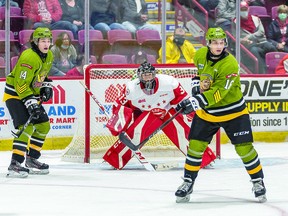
<point>92,139</point>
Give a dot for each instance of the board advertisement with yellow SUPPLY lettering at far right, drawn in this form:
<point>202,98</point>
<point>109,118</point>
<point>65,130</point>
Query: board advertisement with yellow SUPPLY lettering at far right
<point>267,102</point>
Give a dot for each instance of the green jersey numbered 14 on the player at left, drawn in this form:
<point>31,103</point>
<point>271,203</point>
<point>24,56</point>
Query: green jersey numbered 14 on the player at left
<point>28,75</point>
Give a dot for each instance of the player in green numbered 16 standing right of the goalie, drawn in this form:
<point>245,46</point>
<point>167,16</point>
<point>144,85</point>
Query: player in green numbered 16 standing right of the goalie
<point>218,102</point>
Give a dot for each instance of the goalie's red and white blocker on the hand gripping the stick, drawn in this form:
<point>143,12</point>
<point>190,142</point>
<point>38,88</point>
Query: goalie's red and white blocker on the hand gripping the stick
<point>120,119</point>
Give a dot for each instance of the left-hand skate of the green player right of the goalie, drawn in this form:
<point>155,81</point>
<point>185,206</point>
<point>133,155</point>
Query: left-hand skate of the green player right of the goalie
<point>184,191</point>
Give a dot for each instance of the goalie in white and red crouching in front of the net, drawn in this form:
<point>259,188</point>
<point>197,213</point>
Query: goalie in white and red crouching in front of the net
<point>147,102</point>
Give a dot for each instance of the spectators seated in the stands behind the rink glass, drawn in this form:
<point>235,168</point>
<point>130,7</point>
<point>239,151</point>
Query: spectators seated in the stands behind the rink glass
<point>65,18</point>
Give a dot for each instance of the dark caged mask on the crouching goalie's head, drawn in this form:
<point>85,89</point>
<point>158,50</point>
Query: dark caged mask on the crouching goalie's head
<point>143,73</point>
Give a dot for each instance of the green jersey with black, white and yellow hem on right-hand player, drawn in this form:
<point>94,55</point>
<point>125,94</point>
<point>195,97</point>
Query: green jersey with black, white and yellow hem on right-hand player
<point>221,95</point>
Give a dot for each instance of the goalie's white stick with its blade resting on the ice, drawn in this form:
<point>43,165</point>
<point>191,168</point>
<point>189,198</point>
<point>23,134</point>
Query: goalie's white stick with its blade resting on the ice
<point>140,157</point>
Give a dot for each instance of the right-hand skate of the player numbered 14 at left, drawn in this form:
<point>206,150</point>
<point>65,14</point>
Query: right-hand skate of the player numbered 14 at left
<point>35,167</point>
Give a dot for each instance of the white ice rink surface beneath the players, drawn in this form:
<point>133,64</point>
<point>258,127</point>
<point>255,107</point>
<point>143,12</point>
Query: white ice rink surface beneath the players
<point>96,189</point>
